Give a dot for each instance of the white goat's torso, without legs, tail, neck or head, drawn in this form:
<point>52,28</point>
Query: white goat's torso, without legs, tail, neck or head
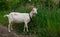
<point>19,17</point>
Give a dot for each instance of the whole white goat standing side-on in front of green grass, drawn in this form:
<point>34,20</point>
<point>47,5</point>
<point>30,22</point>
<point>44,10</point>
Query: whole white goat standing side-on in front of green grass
<point>15,17</point>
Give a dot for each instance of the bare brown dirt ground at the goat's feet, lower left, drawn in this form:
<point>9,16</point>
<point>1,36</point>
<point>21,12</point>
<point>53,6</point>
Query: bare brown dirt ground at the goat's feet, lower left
<point>4,33</point>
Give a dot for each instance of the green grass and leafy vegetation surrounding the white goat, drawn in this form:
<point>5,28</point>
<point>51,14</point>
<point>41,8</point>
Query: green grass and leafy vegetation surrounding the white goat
<point>45,24</point>
